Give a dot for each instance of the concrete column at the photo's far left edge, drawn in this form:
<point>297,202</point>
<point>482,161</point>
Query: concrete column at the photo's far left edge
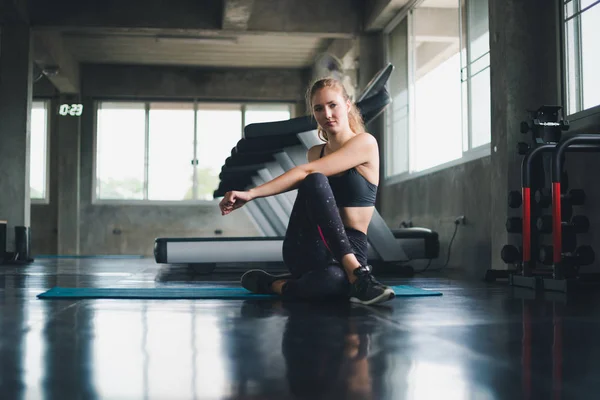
<point>15,112</point>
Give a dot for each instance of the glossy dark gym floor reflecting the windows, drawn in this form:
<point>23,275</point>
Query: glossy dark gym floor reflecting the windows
<point>477,341</point>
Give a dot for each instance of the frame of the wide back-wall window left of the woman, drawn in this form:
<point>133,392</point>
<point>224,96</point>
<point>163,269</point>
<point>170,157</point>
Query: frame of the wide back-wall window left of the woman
<point>197,104</point>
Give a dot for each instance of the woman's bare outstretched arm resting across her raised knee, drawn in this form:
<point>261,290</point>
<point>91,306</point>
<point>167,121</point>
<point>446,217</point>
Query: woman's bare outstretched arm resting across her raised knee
<point>356,151</point>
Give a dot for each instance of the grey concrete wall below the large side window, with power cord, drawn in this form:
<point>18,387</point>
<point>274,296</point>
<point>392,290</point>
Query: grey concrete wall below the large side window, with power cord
<point>435,200</point>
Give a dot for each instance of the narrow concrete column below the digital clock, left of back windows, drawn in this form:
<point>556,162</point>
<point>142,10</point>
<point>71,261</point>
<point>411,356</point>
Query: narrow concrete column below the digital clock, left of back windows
<point>68,179</point>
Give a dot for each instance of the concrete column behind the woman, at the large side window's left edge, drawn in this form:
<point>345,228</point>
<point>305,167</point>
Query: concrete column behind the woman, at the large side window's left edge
<point>371,58</point>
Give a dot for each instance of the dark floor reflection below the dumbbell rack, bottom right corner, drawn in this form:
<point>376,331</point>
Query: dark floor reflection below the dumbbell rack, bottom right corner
<point>559,345</point>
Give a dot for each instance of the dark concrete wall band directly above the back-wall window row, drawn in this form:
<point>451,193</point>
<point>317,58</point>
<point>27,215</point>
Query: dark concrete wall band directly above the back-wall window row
<point>225,84</point>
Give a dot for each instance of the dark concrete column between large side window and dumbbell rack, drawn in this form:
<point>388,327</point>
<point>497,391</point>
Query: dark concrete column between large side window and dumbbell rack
<point>524,67</point>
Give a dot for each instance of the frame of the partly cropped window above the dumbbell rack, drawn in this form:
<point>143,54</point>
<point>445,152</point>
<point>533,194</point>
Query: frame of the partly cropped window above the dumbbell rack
<point>584,119</point>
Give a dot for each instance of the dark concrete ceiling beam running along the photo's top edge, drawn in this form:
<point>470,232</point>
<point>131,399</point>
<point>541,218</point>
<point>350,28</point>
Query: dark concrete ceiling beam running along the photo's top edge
<point>336,17</point>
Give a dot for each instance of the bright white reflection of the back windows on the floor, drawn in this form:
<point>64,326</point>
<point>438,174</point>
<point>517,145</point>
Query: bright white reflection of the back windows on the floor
<point>160,353</point>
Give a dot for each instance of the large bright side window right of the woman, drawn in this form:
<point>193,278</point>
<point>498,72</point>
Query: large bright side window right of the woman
<point>440,88</point>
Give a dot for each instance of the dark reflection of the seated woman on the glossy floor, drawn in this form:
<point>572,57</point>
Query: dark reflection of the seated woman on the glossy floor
<point>325,348</point>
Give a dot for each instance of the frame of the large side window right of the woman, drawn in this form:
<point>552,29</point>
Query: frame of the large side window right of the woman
<point>472,153</point>
